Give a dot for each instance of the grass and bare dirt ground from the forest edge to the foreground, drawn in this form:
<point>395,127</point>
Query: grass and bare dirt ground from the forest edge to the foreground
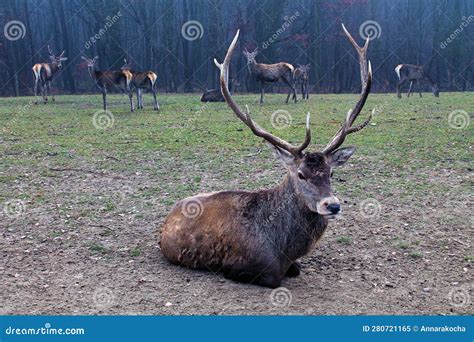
<point>82,206</point>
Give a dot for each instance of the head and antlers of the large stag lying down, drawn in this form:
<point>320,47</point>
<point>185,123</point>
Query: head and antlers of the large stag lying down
<point>310,172</point>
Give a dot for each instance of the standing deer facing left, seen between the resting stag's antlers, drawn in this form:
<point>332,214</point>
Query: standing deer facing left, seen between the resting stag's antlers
<point>270,73</point>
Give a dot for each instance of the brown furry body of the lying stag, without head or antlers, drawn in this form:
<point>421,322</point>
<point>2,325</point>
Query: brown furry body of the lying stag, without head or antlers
<point>250,236</point>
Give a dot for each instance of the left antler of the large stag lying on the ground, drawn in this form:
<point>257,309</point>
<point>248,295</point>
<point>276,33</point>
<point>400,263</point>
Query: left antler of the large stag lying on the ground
<point>245,116</point>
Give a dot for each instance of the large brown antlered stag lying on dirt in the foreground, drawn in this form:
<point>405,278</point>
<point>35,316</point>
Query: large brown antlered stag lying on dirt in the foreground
<point>256,237</point>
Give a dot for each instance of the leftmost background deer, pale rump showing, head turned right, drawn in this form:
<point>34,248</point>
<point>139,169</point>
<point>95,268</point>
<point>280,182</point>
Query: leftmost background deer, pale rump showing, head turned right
<point>44,73</point>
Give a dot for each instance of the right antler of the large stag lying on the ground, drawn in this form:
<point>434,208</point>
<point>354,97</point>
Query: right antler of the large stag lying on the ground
<point>366,80</point>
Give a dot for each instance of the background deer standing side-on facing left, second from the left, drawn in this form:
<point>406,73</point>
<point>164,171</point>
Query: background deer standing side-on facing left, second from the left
<point>107,79</point>
